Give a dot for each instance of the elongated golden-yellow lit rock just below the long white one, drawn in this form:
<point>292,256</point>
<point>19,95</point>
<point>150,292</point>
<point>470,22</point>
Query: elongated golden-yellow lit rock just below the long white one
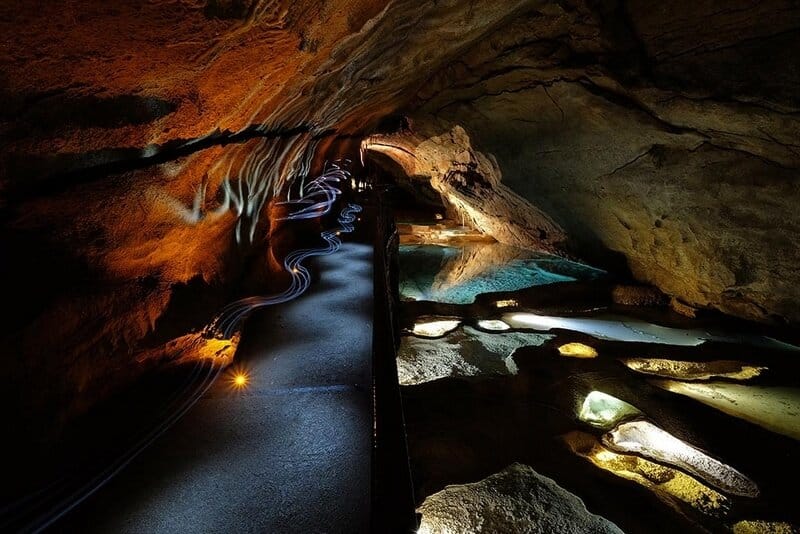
<point>670,485</point>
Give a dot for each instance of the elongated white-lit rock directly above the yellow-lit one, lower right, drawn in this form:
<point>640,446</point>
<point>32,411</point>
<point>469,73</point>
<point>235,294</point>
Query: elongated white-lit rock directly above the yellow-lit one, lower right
<point>646,439</point>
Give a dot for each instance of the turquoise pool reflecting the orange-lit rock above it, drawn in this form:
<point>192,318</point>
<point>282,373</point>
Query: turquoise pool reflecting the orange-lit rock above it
<point>456,274</point>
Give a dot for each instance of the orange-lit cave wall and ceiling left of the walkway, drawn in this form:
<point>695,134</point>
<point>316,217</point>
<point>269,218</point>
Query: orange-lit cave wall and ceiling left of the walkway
<point>123,125</point>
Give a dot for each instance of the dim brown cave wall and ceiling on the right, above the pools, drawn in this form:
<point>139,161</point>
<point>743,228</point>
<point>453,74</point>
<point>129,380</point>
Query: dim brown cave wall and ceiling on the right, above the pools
<point>667,135</point>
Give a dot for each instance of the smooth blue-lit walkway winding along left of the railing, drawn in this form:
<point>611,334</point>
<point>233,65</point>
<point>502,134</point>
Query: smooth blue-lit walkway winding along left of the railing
<point>289,453</point>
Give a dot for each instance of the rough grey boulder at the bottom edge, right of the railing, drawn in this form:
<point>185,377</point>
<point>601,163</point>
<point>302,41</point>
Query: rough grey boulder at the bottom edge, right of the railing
<point>517,499</point>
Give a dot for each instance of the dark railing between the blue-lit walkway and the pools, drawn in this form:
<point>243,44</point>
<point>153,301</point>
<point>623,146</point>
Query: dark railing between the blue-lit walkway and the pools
<point>392,490</point>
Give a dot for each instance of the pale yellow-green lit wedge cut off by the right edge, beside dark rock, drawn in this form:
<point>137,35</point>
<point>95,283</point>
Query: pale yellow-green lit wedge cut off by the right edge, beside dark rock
<point>775,408</point>
